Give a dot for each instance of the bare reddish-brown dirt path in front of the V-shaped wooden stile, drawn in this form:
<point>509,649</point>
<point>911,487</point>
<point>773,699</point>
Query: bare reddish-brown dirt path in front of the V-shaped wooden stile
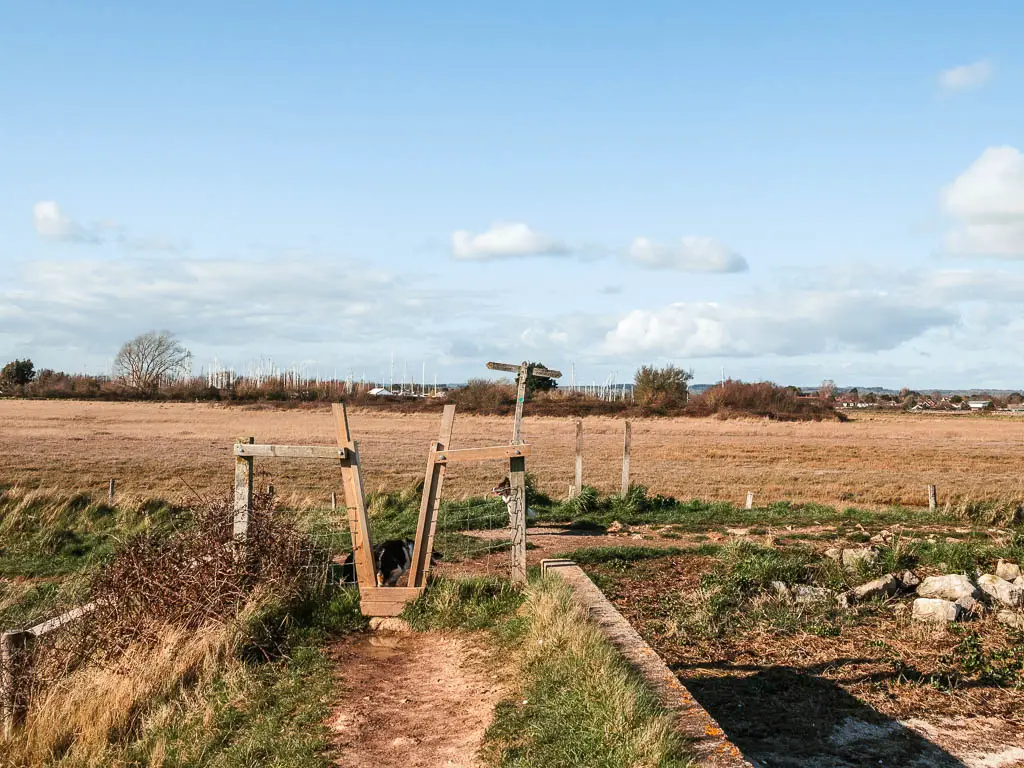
<point>415,701</point>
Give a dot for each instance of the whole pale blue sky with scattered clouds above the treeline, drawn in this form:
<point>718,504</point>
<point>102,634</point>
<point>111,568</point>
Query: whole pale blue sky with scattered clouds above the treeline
<point>790,191</point>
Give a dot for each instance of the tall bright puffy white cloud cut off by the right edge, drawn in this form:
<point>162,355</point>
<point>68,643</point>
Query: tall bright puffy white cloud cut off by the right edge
<point>988,201</point>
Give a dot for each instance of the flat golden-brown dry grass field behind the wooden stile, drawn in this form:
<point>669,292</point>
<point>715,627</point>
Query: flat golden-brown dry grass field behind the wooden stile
<point>162,449</point>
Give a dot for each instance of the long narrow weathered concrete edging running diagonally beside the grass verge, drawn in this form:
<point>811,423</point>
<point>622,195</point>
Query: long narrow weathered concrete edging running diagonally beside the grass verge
<point>694,722</point>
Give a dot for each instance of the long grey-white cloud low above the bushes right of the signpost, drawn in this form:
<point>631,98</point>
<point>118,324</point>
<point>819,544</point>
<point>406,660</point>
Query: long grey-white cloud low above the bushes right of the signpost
<point>807,323</point>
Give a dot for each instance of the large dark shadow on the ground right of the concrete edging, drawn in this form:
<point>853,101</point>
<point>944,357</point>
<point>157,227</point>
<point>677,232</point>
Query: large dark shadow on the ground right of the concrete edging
<point>782,717</point>
